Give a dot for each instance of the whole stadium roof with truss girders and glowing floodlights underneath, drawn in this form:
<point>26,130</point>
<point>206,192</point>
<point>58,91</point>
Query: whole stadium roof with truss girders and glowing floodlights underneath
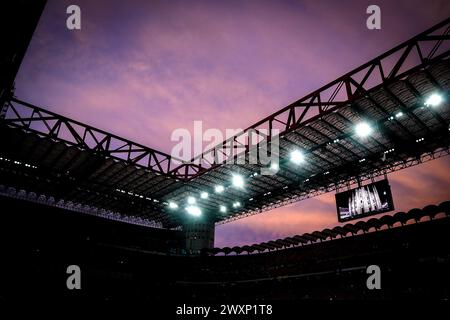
<point>401,97</point>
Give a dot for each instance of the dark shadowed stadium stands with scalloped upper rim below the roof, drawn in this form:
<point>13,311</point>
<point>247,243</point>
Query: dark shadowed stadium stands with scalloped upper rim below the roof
<point>118,264</point>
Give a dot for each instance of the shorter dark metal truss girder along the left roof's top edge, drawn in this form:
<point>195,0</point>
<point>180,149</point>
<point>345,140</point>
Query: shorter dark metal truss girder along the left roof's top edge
<point>31,118</point>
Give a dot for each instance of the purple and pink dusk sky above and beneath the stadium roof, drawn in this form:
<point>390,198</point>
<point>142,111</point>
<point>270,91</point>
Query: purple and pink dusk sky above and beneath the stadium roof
<point>141,69</point>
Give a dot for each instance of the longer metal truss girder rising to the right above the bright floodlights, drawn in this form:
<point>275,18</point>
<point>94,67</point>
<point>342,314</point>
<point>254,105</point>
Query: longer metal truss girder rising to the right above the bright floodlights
<point>390,66</point>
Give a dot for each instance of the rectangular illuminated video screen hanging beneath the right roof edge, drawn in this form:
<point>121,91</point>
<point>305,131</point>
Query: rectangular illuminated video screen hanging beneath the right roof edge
<point>363,201</point>
